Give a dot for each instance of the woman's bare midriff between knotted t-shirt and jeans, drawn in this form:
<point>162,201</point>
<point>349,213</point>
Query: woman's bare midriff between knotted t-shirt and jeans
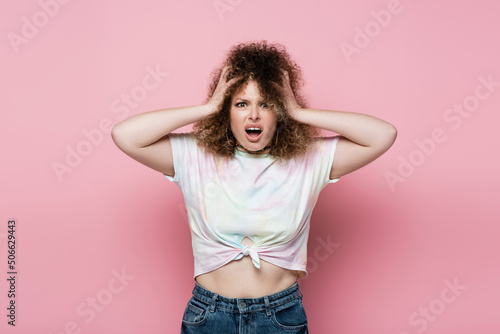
<point>241,279</point>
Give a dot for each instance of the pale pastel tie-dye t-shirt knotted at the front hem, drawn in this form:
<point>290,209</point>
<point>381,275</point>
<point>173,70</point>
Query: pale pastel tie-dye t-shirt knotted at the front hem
<point>250,195</point>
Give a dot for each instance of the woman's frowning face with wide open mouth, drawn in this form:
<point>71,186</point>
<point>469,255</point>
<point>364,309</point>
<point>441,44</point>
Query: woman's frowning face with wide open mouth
<point>252,121</point>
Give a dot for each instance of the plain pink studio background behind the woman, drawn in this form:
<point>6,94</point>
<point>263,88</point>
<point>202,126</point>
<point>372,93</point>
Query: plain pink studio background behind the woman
<point>419,219</point>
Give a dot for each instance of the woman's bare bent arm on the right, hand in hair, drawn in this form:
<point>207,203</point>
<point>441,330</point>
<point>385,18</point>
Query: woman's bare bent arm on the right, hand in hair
<point>364,137</point>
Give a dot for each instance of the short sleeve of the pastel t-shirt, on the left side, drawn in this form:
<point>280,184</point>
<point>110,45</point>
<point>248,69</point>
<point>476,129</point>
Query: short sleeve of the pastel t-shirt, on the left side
<point>183,149</point>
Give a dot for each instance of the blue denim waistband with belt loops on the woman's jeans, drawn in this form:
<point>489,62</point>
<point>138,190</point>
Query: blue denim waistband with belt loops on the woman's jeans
<point>245,305</point>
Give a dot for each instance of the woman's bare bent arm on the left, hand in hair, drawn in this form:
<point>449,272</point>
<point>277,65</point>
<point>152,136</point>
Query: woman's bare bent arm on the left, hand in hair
<point>144,138</point>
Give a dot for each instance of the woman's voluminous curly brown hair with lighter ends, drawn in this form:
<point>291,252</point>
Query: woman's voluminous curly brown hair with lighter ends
<point>263,63</point>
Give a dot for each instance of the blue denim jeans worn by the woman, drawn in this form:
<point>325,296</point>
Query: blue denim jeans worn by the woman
<point>210,313</point>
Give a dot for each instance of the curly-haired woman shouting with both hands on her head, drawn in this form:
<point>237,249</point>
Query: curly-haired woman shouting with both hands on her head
<point>251,172</point>
